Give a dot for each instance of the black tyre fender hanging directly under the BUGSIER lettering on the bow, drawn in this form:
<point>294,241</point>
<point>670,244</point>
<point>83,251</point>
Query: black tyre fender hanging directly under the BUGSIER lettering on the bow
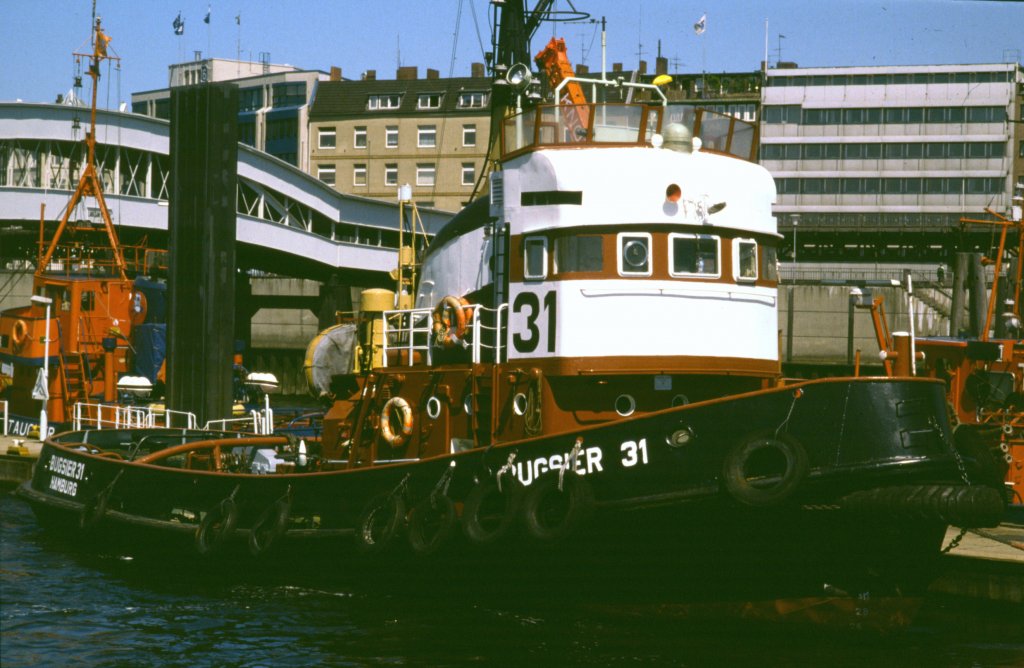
<point>551,515</point>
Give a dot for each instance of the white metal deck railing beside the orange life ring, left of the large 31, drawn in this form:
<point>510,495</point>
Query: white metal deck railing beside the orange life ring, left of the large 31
<point>409,336</point>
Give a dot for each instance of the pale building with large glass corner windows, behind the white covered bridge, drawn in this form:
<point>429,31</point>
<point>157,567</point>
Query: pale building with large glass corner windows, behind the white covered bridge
<point>274,102</point>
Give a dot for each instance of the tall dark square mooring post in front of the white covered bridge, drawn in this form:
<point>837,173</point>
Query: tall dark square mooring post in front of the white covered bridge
<point>201,226</point>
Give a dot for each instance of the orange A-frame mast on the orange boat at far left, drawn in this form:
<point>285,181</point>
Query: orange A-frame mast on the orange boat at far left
<point>90,184</point>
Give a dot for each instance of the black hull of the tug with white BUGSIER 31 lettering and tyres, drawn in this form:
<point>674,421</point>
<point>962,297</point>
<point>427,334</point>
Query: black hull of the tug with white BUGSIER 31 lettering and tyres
<point>837,477</point>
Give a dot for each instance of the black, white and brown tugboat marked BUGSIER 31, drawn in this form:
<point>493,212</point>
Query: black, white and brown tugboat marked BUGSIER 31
<point>586,371</point>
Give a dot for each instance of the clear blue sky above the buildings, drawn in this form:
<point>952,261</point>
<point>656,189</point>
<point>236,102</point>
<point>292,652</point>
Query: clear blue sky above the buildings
<point>450,35</point>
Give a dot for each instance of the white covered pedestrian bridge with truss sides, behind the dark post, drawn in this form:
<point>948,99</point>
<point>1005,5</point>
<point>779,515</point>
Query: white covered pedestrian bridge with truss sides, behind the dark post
<point>288,222</point>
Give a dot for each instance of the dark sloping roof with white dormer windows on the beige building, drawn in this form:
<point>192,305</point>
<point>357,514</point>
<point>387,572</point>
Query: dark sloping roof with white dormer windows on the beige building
<point>342,99</point>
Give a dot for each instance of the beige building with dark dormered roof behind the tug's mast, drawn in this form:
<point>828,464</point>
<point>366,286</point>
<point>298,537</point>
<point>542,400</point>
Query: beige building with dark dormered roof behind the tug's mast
<point>370,137</point>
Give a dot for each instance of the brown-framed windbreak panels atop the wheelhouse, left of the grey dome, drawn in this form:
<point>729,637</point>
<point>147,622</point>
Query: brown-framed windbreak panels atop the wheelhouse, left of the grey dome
<point>581,126</point>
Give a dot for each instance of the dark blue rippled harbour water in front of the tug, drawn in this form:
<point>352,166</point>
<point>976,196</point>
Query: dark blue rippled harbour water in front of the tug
<point>58,608</point>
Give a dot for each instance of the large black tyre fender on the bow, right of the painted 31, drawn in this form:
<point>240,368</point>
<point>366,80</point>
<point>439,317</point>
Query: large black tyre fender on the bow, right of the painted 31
<point>764,470</point>
